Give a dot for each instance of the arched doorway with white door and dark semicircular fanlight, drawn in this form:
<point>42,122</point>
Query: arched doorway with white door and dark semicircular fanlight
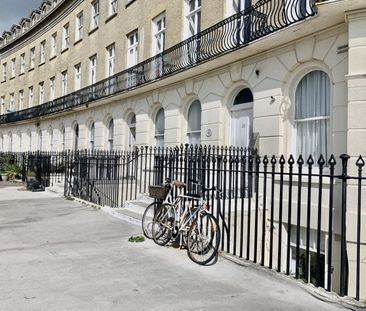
<point>242,119</point>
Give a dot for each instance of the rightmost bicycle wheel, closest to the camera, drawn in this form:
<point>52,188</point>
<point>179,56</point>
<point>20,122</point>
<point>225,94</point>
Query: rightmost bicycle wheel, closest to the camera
<point>203,239</point>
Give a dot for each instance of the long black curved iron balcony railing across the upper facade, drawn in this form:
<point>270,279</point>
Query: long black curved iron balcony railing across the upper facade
<point>257,21</point>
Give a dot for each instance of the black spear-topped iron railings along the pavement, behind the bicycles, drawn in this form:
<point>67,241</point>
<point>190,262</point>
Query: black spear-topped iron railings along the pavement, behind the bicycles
<point>300,216</point>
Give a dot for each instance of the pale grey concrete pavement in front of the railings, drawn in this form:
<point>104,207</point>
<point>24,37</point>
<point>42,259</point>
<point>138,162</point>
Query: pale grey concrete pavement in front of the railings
<point>57,254</point>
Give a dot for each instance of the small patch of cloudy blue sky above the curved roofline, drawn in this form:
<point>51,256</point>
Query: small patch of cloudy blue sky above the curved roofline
<point>11,11</point>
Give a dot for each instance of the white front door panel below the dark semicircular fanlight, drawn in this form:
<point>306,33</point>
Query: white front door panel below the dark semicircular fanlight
<point>241,126</point>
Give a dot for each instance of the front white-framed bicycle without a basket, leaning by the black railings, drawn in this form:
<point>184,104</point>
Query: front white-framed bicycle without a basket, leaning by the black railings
<point>192,222</point>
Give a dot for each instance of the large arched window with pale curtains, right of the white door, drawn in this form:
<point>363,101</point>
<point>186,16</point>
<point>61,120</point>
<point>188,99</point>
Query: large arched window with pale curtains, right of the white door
<point>312,114</point>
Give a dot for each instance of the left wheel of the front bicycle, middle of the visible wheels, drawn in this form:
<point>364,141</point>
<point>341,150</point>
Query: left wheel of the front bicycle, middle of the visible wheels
<point>162,225</point>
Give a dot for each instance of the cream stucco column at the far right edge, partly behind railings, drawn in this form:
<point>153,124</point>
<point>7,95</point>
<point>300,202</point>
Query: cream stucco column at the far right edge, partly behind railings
<point>356,138</point>
